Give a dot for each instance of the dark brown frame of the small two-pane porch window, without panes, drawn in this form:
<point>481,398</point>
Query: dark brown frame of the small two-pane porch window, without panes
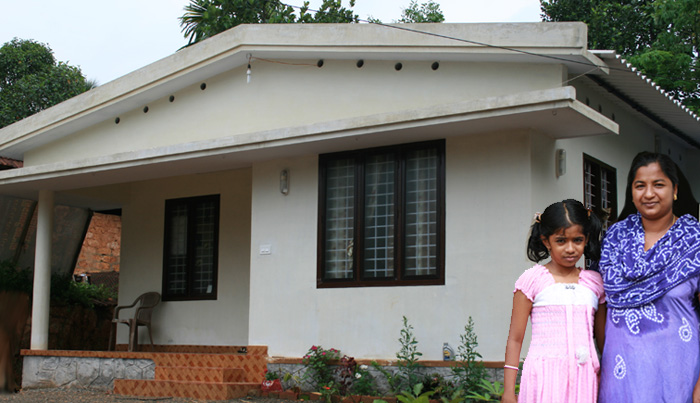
<point>191,204</point>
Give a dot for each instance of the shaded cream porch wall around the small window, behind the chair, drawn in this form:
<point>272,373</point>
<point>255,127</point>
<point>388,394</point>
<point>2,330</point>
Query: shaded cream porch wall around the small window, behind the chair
<point>223,321</point>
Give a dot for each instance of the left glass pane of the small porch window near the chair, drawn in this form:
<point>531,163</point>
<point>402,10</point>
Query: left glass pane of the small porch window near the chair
<point>177,259</point>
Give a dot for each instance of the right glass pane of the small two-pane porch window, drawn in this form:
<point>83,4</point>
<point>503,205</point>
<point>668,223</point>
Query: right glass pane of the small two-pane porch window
<point>205,236</point>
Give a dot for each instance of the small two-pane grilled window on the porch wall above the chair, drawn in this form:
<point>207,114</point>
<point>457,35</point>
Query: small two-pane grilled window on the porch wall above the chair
<point>191,248</point>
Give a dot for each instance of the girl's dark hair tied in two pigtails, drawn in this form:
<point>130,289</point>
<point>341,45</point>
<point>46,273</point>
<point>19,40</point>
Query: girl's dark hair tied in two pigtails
<point>559,216</point>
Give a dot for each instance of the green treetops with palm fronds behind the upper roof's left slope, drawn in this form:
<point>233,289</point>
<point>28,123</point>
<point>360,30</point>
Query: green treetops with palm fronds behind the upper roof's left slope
<point>206,18</point>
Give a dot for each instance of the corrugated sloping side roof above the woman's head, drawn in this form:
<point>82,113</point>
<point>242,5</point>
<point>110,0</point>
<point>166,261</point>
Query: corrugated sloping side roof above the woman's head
<point>648,98</point>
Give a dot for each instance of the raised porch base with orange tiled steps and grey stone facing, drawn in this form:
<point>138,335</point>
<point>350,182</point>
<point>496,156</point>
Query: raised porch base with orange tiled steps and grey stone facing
<point>199,372</point>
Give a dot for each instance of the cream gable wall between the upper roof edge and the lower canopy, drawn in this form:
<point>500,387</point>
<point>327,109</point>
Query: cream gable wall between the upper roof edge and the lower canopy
<point>297,96</point>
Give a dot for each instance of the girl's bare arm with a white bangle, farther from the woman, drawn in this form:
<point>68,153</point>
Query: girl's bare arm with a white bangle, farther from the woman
<point>518,324</point>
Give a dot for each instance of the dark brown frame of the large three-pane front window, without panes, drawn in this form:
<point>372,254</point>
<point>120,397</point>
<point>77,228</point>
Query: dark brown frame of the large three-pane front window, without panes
<point>399,277</point>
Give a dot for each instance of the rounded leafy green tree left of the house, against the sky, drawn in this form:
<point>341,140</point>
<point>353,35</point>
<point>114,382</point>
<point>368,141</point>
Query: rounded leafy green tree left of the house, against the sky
<point>31,80</point>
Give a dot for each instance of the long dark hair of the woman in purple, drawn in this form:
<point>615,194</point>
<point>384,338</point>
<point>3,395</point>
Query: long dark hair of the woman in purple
<point>686,203</point>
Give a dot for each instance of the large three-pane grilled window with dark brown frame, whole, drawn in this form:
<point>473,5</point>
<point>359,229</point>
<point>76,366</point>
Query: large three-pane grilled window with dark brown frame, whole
<point>382,216</point>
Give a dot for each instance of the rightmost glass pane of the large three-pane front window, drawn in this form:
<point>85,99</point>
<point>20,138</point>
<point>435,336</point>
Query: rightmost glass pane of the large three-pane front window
<point>421,212</point>
